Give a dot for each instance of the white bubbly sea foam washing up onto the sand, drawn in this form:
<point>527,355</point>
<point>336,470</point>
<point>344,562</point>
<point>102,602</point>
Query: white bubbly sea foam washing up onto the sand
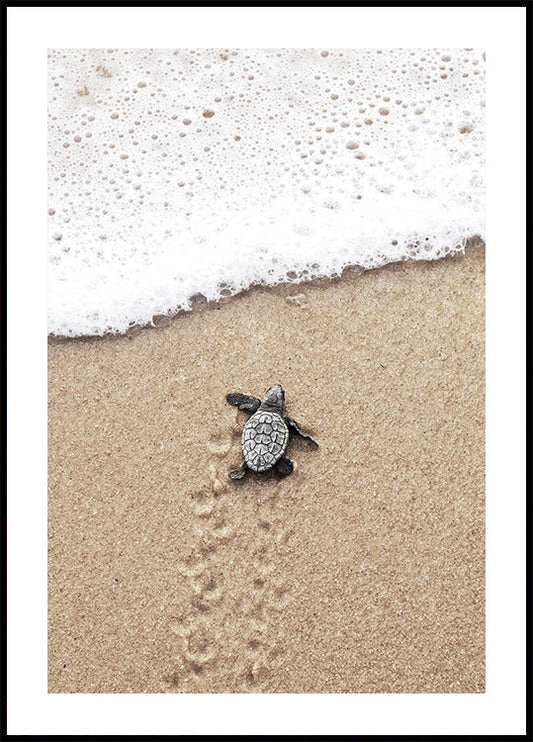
<point>174,173</point>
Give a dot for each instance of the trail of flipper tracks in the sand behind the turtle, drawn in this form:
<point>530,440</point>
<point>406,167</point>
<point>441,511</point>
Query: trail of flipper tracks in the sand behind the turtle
<point>214,621</point>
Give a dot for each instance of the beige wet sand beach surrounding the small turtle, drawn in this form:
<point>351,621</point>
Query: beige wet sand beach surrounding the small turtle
<point>362,572</point>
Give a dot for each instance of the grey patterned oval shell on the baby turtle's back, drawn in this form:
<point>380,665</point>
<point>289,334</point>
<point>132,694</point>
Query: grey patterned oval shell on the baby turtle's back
<point>264,440</point>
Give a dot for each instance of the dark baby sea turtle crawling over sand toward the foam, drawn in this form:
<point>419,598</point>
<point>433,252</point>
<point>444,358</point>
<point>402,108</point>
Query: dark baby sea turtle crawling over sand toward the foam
<point>266,434</point>
